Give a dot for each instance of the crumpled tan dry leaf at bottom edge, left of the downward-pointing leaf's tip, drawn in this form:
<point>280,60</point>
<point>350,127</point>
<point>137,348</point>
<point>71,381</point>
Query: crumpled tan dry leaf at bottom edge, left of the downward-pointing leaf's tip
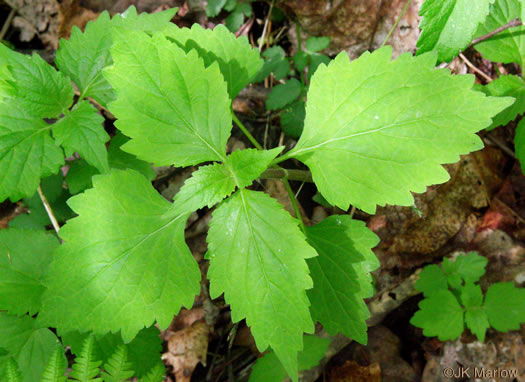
<point>186,348</point>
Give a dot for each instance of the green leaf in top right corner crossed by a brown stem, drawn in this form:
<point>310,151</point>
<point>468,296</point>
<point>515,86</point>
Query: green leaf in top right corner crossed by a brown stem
<point>507,46</point>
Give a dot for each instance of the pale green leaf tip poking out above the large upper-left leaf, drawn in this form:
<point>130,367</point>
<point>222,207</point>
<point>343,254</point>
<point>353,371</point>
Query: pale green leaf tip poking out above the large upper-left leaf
<point>146,22</point>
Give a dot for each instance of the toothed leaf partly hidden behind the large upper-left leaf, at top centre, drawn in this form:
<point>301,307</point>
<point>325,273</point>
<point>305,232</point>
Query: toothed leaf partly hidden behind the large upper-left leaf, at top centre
<point>238,61</point>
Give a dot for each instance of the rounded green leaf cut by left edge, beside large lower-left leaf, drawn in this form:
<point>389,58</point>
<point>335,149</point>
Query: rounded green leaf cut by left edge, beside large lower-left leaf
<point>24,258</point>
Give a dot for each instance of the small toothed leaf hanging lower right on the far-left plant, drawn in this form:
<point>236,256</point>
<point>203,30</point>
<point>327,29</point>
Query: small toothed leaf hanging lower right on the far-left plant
<point>81,131</point>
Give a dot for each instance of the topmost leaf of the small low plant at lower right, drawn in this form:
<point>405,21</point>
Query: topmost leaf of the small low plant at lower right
<point>467,267</point>
